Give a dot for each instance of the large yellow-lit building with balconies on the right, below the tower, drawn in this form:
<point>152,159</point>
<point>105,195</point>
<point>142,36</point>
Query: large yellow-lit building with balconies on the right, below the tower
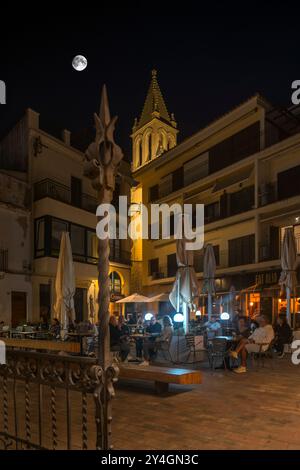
<point>245,168</point>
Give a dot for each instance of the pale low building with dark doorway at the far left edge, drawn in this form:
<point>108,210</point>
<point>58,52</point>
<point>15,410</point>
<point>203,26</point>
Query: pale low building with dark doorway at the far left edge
<point>15,248</point>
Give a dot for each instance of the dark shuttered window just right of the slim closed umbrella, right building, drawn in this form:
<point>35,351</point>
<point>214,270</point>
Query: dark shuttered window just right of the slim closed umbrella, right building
<point>241,250</point>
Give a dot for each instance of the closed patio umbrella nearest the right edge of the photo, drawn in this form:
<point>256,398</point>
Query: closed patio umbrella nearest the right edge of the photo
<point>288,277</point>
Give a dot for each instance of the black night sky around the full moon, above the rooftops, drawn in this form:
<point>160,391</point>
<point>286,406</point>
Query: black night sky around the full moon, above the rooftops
<point>207,64</point>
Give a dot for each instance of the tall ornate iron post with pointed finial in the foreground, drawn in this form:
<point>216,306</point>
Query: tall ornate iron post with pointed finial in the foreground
<point>103,157</point>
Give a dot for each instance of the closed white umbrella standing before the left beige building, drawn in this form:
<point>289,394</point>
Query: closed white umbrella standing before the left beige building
<point>65,283</point>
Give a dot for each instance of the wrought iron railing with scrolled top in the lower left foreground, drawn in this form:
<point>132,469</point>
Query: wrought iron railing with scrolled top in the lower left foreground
<point>51,402</point>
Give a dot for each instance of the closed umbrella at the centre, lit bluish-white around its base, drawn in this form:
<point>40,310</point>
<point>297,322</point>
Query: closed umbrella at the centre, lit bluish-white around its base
<point>185,287</point>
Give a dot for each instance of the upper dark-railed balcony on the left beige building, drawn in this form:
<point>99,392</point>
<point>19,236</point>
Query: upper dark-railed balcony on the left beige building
<point>62,193</point>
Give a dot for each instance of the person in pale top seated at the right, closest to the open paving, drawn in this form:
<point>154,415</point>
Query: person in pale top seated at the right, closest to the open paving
<point>258,341</point>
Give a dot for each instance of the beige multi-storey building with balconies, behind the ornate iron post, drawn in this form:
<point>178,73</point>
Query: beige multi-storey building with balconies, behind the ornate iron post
<point>61,199</point>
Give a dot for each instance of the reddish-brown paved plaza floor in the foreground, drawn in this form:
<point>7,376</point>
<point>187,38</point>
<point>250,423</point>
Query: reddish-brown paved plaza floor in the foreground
<point>256,410</point>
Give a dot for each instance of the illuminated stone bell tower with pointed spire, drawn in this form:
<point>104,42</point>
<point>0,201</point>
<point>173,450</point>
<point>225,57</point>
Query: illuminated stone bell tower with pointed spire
<point>155,131</point>
